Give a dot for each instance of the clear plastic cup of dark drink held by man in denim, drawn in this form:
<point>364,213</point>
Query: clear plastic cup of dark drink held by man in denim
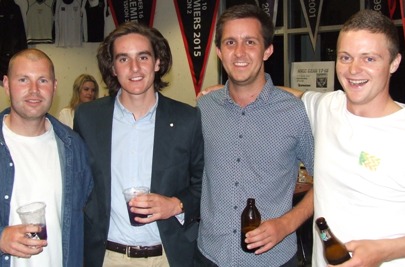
<point>34,213</point>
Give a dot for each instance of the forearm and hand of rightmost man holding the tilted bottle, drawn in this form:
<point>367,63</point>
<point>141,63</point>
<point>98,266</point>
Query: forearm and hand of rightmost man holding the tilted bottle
<point>372,253</point>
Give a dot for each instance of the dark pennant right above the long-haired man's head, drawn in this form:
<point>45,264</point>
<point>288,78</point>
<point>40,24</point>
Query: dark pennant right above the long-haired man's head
<point>142,11</point>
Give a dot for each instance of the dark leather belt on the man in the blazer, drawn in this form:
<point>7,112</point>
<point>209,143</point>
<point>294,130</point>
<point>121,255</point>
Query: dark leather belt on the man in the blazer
<point>135,251</point>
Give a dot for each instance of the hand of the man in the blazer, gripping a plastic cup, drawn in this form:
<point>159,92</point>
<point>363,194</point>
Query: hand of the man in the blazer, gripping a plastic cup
<point>158,207</point>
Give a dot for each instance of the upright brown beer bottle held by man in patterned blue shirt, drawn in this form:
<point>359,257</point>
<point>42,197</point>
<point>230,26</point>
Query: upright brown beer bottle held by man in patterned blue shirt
<point>250,220</point>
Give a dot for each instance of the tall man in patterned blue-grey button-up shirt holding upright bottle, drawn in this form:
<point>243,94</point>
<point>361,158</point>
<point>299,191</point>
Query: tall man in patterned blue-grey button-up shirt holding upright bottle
<point>255,136</point>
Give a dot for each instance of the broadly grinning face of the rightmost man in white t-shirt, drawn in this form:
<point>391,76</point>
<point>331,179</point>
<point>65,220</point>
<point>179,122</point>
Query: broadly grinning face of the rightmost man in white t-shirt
<point>364,68</point>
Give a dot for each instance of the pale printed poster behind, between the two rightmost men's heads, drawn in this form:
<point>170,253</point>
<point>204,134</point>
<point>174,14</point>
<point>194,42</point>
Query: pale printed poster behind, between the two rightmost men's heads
<point>313,76</point>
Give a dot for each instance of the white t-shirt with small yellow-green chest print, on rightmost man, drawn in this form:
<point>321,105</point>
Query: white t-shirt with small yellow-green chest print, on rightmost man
<point>359,176</point>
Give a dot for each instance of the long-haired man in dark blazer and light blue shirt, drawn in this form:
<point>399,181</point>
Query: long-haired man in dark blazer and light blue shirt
<point>137,136</point>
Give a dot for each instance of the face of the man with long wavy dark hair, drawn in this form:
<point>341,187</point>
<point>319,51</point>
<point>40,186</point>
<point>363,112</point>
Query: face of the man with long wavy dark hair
<point>134,64</point>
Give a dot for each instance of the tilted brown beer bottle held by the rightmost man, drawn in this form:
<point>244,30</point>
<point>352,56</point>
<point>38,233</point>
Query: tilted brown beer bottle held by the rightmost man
<point>334,250</point>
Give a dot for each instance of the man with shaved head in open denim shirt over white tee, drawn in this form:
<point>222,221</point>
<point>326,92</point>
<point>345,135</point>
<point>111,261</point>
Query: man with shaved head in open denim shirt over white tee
<point>40,160</point>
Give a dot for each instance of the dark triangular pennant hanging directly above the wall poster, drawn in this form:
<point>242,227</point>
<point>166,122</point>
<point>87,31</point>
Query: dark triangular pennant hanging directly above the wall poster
<point>312,14</point>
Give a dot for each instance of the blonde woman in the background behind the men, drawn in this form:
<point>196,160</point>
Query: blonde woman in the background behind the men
<point>85,89</point>
